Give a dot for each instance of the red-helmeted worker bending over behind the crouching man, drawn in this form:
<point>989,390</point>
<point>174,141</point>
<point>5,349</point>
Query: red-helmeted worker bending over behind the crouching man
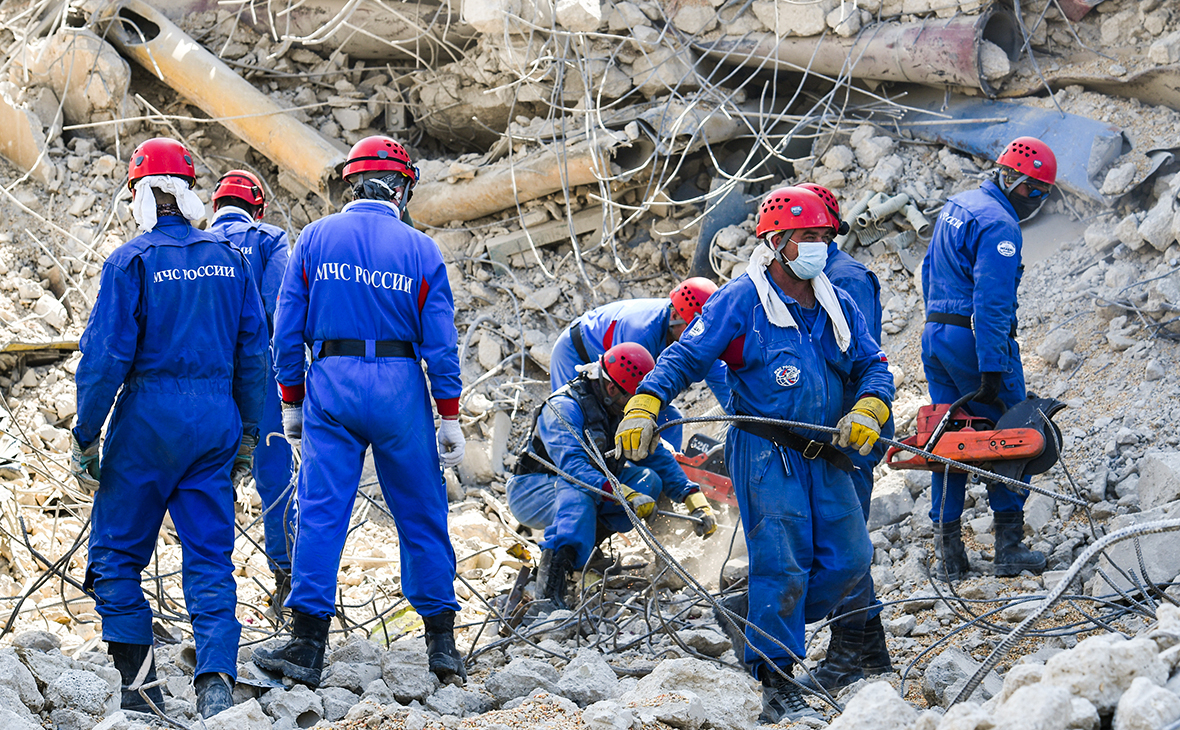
<point>653,324</point>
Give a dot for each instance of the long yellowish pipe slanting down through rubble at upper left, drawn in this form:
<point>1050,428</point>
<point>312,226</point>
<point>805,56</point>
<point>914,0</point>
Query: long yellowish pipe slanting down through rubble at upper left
<point>304,155</point>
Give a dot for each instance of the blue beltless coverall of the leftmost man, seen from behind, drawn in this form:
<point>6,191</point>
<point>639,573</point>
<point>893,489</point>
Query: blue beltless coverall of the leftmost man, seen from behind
<point>180,327</point>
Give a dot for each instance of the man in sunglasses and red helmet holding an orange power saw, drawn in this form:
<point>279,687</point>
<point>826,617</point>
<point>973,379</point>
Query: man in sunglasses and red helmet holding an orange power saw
<point>971,275</point>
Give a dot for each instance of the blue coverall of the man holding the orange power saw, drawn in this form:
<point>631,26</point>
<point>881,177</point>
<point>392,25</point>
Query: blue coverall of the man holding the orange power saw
<point>973,269</point>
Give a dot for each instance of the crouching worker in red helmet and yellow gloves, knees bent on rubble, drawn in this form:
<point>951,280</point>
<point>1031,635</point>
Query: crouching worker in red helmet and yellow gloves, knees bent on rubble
<point>576,521</point>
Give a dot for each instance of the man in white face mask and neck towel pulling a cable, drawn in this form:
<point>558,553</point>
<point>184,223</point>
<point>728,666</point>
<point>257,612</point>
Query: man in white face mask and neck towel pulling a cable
<point>795,345</point>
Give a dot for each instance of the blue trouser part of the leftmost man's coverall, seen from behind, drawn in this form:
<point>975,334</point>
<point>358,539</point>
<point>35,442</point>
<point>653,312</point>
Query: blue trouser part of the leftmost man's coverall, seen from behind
<point>169,452</point>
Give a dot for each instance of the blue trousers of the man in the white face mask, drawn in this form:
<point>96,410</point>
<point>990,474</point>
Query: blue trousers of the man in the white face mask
<point>807,541</point>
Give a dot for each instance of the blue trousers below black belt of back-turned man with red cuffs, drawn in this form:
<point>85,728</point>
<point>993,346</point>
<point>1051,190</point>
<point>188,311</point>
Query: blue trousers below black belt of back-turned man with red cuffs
<point>353,404</point>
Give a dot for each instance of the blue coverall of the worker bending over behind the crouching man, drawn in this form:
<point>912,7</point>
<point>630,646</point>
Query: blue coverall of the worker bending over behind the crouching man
<point>641,321</point>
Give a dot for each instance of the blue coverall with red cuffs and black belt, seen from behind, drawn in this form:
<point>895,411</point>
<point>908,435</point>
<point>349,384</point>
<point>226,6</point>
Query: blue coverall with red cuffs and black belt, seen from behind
<point>364,275</point>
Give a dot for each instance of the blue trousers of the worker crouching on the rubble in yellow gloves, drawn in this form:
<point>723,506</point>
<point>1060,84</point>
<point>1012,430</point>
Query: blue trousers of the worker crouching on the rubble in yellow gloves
<point>572,516</point>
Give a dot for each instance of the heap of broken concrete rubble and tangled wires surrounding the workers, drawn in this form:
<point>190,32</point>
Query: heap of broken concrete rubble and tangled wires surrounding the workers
<point>565,168</point>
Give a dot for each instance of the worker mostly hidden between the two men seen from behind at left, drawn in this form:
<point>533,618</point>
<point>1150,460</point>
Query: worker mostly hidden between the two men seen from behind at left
<point>239,207</point>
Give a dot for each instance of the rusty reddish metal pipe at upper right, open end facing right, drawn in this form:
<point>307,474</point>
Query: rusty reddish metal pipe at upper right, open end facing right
<point>935,52</point>
